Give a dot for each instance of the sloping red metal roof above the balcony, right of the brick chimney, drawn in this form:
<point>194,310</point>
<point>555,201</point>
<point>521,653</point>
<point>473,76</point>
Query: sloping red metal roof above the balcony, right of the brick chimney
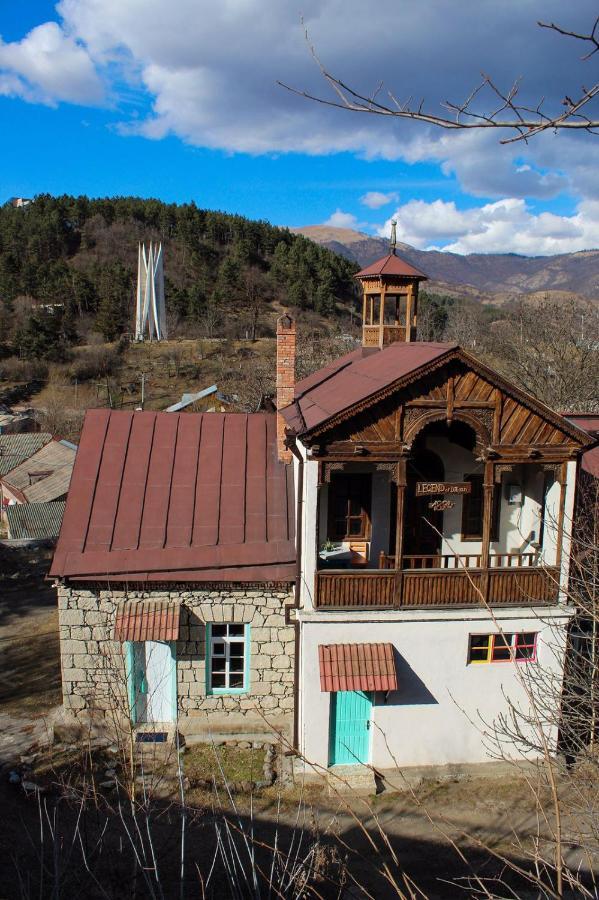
<point>355,377</point>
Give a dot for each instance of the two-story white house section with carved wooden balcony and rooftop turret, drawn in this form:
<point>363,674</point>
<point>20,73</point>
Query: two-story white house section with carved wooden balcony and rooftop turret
<point>436,503</point>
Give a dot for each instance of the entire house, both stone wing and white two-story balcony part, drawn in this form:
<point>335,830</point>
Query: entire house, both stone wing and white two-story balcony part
<point>338,570</point>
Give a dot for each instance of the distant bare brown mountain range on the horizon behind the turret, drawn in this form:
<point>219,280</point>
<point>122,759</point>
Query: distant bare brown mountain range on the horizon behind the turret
<point>493,277</point>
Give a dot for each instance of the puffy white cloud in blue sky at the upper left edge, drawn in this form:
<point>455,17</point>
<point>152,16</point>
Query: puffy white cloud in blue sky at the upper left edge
<point>47,66</point>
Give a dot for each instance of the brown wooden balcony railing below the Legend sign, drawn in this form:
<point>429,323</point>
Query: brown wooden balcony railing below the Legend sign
<point>427,587</point>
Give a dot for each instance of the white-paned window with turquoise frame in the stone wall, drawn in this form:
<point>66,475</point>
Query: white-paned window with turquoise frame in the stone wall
<point>228,654</point>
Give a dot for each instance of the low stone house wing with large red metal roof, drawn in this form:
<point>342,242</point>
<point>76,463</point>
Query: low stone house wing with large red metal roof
<point>176,560</point>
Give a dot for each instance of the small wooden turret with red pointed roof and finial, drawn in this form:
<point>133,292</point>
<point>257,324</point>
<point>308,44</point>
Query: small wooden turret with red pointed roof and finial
<point>389,299</point>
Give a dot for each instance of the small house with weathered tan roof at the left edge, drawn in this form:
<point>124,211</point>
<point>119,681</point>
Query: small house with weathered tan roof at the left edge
<point>41,477</point>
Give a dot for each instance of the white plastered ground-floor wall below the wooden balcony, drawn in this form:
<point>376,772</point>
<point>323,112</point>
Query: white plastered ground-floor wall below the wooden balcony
<point>436,716</point>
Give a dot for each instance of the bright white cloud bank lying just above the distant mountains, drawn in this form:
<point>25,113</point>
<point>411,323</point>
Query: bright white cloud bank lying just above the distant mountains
<point>507,226</point>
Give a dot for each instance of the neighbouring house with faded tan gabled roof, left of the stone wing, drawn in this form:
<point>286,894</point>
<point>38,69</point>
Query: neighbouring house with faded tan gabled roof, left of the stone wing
<point>41,476</point>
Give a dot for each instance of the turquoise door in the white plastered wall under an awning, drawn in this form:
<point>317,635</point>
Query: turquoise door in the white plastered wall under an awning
<point>350,728</point>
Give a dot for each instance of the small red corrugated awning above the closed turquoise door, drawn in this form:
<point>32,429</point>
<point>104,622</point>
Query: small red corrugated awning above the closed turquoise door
<point>357,667</point>
